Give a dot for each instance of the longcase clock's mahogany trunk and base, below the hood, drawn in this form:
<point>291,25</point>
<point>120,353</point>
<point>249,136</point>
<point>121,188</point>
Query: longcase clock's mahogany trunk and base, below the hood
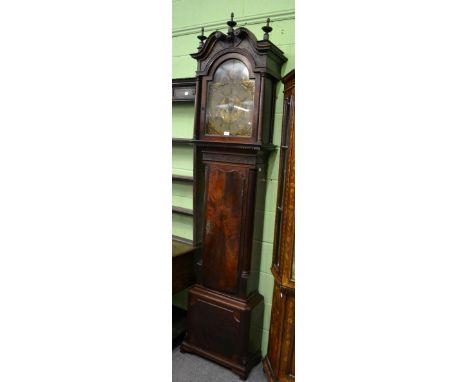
<point>225,310</point>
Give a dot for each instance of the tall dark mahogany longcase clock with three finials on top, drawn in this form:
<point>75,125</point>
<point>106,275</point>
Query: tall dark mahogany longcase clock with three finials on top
<point>234,109</point>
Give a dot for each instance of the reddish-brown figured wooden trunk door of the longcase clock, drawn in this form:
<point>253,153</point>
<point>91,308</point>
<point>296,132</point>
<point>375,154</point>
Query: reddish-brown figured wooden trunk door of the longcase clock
<point>225,196</point>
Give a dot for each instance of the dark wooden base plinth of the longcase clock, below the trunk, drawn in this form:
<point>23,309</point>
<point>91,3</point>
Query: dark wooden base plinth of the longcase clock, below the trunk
<point>224,329</point>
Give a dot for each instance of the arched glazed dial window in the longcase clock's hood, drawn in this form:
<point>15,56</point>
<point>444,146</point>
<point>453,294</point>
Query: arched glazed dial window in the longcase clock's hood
<point>230,101</point>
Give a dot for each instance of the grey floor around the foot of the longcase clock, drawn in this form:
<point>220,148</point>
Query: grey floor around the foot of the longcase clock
<point>191,368</point>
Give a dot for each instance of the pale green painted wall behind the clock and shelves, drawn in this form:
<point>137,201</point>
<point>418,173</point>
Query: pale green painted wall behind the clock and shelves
<point>188,16</point>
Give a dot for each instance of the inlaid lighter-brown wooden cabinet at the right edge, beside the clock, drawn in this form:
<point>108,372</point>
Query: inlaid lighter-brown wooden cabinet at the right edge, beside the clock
<point>279,364</point>
